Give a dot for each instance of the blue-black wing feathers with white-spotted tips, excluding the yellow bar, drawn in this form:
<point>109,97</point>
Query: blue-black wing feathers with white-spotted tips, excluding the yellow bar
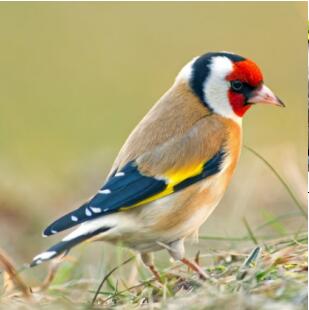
<point>127,188</point>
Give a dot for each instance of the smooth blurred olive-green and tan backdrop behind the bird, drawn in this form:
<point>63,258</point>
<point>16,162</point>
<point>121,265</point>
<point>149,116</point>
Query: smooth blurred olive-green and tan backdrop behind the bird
<point>75,78</point>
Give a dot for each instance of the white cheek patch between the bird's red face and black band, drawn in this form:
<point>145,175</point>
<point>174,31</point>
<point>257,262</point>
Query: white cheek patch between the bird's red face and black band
<point>216,88</point>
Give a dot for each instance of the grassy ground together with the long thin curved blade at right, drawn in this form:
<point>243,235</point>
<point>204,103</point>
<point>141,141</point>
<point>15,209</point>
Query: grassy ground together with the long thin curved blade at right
<point>261,272</point>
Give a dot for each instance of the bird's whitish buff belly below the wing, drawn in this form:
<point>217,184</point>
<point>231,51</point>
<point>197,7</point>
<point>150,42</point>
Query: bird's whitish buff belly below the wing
<point>138,229</point>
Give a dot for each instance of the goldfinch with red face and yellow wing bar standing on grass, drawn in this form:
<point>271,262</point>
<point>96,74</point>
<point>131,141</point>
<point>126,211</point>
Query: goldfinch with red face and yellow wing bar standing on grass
<point>175,166</point>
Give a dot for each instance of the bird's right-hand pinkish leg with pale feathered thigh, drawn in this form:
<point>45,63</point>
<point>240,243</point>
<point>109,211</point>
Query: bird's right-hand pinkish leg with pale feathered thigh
<point>177,251</point>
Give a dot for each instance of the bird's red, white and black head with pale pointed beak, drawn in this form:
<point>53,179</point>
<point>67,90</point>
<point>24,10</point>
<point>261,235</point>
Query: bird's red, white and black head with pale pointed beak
<point>227,84</point>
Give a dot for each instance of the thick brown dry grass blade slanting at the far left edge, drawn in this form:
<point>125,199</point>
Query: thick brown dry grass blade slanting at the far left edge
<point>13,276</point>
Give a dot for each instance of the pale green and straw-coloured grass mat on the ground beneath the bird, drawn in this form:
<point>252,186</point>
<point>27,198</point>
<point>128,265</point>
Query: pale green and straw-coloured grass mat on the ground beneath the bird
<point>272,275</point>
